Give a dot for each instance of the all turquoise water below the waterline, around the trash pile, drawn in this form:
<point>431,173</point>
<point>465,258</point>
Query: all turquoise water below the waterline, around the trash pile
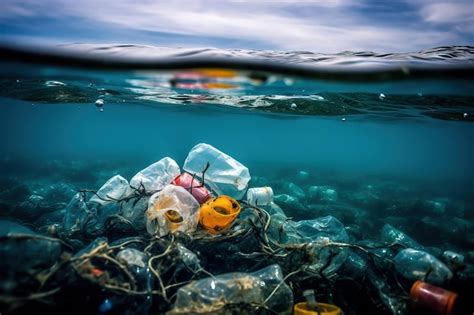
<point>395,151</point>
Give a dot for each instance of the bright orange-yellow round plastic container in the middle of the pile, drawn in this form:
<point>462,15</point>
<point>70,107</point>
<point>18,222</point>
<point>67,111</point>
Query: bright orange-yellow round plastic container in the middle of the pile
<point>217,214</point>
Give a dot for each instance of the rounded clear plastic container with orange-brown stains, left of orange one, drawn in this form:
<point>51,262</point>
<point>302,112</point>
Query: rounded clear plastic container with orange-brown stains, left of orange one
<point>170,210</point>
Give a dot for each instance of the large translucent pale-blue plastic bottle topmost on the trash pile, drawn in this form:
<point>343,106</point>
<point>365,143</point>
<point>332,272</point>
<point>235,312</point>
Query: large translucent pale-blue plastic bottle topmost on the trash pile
<point>225,175</point>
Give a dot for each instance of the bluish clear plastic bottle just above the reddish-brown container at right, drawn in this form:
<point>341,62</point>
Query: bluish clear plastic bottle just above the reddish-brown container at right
<point>419,265</point>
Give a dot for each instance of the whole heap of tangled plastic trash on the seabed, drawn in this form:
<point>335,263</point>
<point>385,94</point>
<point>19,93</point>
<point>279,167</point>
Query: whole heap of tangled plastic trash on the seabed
<point>203,240</point>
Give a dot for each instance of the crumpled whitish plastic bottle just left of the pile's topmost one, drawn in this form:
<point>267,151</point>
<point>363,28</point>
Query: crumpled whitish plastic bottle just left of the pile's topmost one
<point>157,175</point>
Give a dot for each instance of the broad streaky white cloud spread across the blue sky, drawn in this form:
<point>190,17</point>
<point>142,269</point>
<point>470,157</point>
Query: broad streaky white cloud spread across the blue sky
<point>318,25</point>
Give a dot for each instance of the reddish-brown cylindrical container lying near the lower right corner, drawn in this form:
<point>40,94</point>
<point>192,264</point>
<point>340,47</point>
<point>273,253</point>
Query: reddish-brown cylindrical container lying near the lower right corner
<point>431,297</point>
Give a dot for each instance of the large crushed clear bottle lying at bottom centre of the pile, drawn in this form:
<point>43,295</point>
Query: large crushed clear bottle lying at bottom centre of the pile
<point>249,290</point>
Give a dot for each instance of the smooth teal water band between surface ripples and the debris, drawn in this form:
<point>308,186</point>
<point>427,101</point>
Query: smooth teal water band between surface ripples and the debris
<point>405,149</point>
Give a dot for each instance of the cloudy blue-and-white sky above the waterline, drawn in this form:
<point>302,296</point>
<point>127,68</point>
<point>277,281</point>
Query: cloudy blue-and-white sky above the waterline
<point>326,26</point>
